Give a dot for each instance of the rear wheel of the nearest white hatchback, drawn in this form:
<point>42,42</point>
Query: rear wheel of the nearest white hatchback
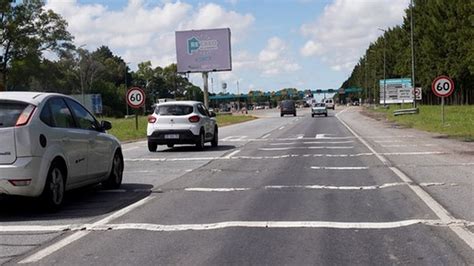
<point>54,189</point>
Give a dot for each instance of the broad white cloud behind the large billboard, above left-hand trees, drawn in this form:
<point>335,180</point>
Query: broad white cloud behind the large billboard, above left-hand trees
<point>140,31</point>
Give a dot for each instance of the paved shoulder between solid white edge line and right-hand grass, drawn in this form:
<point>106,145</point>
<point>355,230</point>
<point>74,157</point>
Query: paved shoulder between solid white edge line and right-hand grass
<point>450,167</point>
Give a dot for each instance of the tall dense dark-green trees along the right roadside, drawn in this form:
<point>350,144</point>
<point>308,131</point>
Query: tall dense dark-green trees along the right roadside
<point>443,45</point>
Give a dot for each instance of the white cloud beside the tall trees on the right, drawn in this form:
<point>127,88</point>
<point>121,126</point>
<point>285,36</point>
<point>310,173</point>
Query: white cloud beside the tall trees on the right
<point>346,28</point>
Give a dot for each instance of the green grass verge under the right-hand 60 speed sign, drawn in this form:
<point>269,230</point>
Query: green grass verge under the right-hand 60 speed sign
<point>458,120</point>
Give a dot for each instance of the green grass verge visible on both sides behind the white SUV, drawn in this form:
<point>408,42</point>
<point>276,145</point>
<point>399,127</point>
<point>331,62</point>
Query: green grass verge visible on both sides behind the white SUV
<point>124,129</point>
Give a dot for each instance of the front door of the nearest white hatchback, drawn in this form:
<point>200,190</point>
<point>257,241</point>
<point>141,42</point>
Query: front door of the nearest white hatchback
<point>99,145</point>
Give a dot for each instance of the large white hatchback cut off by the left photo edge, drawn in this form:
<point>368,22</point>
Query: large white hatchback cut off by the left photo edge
<point>49,143</point>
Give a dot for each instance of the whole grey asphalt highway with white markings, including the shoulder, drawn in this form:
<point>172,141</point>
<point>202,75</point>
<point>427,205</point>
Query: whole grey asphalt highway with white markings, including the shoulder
<point>338,190</point>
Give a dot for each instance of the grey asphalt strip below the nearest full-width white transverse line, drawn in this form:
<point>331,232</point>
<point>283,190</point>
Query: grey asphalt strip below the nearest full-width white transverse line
<point>415,244</point>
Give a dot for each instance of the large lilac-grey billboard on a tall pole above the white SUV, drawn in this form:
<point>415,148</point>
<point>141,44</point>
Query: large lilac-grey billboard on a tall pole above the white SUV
<point>203,50</point>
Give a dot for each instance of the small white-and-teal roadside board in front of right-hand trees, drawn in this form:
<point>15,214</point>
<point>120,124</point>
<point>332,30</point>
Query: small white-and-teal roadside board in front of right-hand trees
<point>396,91</point>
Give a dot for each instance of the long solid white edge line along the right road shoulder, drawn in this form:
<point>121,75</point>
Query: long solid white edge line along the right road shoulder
<point>462,232</point>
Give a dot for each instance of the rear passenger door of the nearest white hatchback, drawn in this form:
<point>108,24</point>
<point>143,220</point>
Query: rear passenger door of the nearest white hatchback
<point>65,137</point>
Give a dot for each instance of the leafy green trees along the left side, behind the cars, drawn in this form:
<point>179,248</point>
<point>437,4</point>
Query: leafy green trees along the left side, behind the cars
<point>28,31</point>
